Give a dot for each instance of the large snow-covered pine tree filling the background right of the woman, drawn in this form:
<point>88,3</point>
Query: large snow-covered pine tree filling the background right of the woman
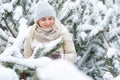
<point>92,22</point>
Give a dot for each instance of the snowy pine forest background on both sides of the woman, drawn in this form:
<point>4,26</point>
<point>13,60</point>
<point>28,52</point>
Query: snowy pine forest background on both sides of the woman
<point>95,28</point>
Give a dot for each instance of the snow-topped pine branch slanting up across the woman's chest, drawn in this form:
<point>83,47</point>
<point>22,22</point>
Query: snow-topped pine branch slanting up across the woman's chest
<point>47,49</point>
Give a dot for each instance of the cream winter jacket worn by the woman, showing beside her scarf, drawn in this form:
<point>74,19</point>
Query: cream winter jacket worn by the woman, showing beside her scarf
<point>67,50</point>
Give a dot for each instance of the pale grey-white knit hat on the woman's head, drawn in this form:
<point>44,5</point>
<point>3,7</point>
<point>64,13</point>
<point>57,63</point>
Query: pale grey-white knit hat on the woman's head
<point>44,9</point>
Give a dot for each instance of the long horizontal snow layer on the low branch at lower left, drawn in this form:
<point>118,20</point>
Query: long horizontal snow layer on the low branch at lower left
<point>30,63</point>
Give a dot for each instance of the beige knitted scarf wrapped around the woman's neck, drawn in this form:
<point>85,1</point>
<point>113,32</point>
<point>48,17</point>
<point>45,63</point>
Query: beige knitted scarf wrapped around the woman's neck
<point>46,35</point>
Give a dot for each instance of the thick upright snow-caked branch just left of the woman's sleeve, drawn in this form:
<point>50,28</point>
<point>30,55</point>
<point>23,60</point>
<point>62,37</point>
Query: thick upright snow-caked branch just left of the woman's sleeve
<point>15,49</point>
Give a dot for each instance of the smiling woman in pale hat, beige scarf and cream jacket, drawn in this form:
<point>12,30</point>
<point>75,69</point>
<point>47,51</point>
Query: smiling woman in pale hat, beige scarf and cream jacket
<point>47,29</point>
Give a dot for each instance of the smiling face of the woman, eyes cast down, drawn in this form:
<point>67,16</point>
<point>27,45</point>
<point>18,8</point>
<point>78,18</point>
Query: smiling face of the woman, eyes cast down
<point>46,22</point>
